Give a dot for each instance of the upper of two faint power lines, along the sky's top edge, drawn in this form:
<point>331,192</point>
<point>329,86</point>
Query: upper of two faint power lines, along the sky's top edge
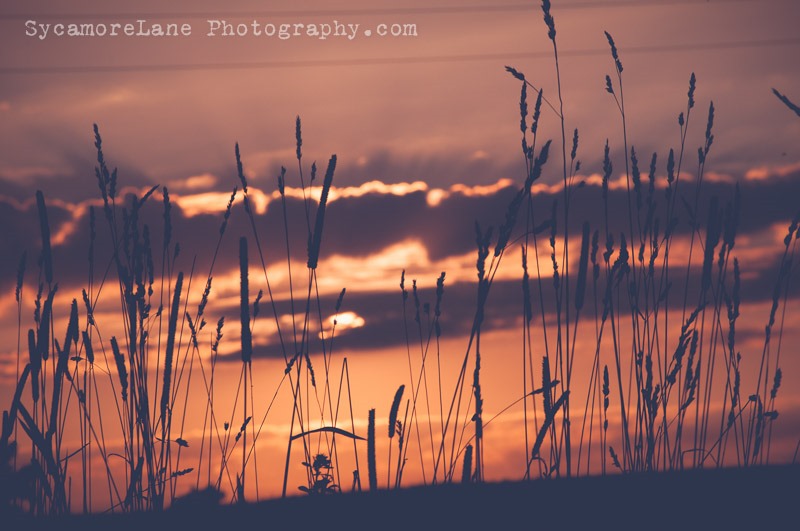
<point>431,10</point>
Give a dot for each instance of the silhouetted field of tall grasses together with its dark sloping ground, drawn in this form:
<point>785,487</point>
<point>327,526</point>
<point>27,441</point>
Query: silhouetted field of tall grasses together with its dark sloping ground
<point>111,382</point>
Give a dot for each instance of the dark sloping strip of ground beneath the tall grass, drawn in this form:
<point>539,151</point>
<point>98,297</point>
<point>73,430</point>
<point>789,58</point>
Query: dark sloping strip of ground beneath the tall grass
<point>729,498</point>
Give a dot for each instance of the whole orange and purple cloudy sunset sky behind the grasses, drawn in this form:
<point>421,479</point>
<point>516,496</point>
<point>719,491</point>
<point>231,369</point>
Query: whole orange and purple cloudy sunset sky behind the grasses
<point>426,132</point>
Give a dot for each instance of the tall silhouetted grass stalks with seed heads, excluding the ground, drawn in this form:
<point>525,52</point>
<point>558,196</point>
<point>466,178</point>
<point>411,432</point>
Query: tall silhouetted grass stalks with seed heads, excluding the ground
<point>660,397</point>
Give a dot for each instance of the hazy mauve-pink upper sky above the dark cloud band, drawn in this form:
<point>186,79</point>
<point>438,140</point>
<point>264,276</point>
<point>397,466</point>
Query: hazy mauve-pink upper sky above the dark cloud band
<point>438,107</point>
